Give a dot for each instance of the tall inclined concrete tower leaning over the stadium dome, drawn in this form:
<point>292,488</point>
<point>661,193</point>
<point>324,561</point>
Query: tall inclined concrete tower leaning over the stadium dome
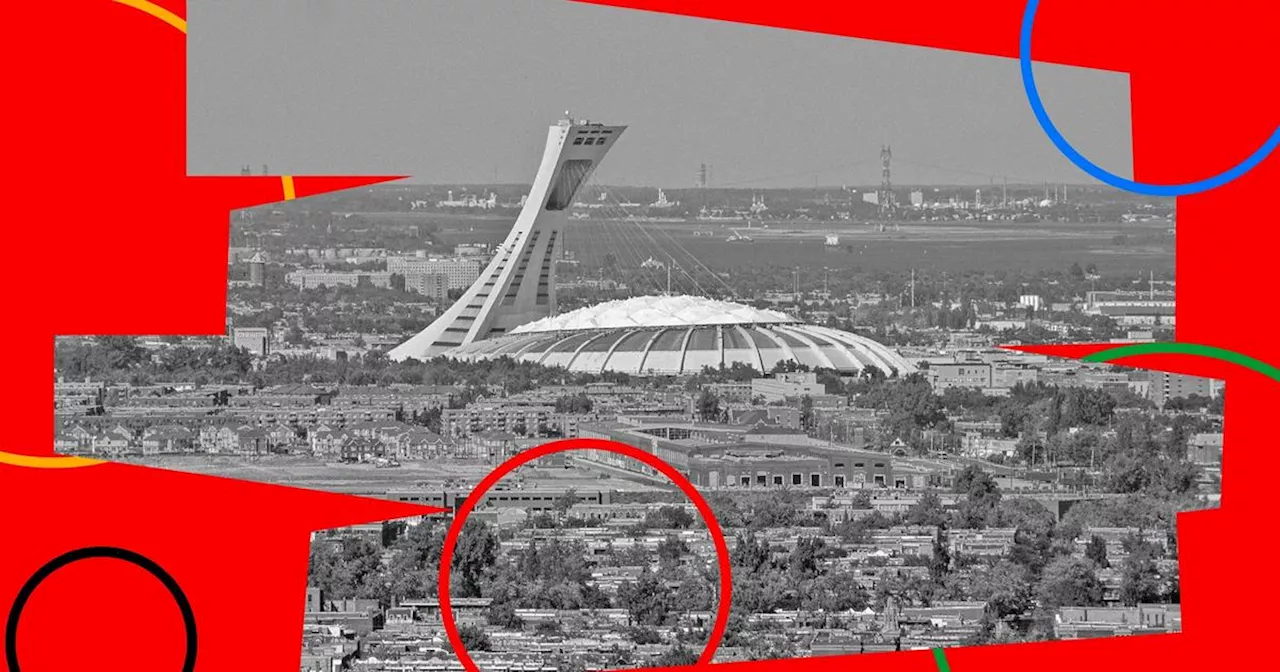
<point>518,286</point>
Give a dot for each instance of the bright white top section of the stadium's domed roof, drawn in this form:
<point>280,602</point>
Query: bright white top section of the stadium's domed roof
<point>656,312</point>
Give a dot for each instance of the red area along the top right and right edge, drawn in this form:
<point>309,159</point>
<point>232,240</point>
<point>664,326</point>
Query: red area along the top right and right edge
<point>1199,108</point>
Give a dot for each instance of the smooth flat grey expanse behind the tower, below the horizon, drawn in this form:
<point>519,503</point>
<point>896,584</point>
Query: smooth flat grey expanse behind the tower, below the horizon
<point>957,246</point>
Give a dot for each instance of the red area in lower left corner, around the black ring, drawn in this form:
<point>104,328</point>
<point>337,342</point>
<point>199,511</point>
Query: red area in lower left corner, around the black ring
<point>237,550</point>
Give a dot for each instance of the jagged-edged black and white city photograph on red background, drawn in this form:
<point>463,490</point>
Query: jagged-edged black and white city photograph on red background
<point>785,264</point>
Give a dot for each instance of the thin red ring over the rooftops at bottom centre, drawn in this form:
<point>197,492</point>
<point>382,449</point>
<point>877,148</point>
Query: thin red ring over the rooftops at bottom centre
<point>460,519</point>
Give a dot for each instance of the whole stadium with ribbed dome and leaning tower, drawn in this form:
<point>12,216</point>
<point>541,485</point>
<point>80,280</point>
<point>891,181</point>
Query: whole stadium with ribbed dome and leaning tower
<point>511,309</point>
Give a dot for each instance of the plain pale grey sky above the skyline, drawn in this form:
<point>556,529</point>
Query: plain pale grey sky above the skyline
<point>463,92</point>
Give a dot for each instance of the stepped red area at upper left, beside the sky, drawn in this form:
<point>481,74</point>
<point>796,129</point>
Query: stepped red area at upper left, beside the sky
<point>108,234</point>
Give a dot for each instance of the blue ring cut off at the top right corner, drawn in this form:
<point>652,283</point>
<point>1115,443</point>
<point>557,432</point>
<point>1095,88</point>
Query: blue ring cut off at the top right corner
<point>1025,58</point>
